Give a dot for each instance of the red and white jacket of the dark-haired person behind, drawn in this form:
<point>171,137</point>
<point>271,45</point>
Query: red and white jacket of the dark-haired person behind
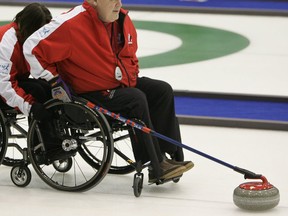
<point>12,69</point>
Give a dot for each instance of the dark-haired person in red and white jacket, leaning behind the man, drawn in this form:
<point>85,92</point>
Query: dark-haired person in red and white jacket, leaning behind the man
<point>17,90</point>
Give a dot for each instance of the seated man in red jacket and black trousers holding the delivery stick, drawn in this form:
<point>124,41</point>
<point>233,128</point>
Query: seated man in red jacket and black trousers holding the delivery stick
<point>93,49</point>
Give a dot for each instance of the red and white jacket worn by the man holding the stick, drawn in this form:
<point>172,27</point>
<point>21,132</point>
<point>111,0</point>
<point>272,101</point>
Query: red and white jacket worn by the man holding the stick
<point>77,46</point>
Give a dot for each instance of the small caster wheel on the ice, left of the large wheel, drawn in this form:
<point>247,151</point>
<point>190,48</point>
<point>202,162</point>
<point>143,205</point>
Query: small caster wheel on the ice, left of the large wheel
<point>20,175</point>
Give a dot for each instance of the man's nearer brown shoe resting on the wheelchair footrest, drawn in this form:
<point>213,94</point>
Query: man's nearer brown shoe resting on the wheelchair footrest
<point>169,171</point>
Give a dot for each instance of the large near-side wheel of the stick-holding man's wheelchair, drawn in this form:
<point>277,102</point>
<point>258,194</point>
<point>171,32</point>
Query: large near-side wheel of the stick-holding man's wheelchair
<point>75,133</point>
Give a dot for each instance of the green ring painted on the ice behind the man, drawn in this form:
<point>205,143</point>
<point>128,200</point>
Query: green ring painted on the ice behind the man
<point>199,43</point>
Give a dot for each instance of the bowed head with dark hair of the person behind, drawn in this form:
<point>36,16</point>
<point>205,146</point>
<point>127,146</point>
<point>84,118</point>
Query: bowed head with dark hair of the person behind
<point>31,18</point>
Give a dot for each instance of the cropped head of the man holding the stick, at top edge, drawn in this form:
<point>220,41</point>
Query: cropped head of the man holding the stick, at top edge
<point>108,10</point>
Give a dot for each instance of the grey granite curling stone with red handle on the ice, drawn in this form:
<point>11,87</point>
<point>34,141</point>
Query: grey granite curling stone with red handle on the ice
<point>256,196</point>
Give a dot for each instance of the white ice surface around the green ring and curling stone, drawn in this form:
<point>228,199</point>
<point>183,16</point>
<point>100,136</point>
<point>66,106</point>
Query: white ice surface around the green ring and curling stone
<point>207,189</point>
